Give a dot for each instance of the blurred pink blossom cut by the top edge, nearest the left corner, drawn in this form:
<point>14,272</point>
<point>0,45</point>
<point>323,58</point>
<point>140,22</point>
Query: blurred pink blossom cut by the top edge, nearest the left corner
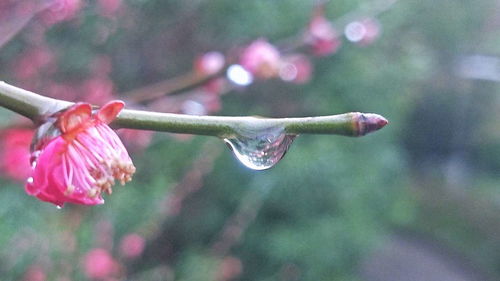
<point>61,10</point>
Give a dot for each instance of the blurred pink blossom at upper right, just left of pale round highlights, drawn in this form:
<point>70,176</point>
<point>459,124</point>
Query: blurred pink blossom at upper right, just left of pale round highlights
<point>322,36</point>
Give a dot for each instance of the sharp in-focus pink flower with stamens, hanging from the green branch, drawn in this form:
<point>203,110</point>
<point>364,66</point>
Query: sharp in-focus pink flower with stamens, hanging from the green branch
<point>83,158</point>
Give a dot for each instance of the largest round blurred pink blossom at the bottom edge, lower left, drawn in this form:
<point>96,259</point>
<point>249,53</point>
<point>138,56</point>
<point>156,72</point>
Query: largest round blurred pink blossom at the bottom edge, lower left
<point>99,264</point>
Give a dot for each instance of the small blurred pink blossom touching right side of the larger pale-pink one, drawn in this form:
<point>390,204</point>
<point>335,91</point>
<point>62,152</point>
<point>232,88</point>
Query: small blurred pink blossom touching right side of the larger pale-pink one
<point>296,69</point>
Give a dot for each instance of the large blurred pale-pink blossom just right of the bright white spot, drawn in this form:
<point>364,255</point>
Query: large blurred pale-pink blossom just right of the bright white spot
<point>261,59</point>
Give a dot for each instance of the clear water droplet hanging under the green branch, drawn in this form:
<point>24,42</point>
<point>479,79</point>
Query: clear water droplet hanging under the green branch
<point>262,149</point>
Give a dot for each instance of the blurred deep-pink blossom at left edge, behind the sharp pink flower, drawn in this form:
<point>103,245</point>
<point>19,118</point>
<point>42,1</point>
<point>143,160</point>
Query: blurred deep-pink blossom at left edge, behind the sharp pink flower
<point>15,153</point>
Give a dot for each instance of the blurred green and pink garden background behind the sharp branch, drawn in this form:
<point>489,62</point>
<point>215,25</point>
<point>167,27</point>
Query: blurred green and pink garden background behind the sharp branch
<point>418,200</point>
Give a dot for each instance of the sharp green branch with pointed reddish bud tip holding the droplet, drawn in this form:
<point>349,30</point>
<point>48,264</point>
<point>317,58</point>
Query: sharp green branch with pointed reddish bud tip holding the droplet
<point>35,107</point>
